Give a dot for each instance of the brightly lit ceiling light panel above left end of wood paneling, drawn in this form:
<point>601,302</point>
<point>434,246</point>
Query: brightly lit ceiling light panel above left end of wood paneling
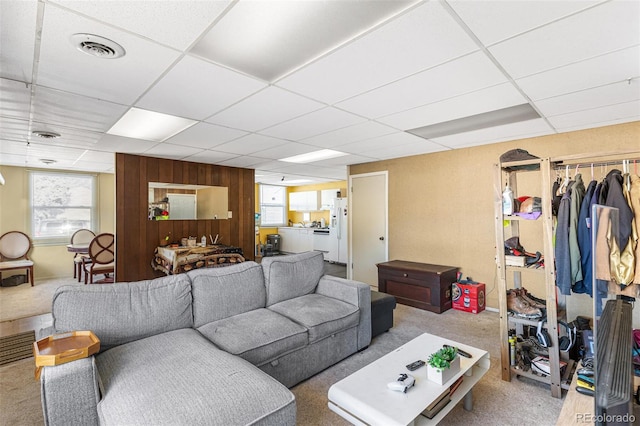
<point>149,125</point>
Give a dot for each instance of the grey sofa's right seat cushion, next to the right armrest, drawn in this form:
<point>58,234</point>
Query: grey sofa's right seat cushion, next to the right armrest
<point>321,315</point>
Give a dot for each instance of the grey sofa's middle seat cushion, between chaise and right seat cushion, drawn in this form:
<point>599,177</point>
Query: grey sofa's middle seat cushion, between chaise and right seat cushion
<point>258,336</point>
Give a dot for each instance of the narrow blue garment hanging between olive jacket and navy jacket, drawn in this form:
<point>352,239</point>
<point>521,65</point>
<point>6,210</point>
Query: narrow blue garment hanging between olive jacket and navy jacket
<point>584,241</point>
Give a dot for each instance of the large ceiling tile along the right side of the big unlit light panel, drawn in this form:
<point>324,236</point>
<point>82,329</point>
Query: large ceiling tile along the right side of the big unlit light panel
<point>419,39</point>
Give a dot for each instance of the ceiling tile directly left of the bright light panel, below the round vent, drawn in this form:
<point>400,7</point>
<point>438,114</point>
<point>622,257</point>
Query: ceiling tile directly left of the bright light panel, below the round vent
<point>66,109</point>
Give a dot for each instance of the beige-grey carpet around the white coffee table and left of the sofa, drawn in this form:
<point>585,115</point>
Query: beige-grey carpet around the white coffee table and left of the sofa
<point>495,402</point>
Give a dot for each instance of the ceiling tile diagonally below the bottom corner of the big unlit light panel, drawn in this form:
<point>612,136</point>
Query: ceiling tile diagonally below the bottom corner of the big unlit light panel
<point>264,109</point>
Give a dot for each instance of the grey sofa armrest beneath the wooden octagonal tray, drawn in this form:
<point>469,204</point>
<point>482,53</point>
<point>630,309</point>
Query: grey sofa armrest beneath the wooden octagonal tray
<point>70,393</point>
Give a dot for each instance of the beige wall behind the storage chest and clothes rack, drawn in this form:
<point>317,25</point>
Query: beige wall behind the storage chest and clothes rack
<point>441,205</point>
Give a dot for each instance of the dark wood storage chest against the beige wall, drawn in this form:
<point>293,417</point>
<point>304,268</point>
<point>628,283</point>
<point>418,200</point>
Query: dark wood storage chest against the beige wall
<point>417,284</point>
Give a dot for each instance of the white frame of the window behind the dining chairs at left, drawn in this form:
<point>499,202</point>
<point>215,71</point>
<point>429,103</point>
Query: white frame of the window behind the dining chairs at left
<point>58,240</point>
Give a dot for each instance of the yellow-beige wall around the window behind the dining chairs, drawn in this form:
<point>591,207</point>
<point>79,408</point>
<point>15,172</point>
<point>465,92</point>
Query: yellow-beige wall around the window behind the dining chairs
<point>51,261</point>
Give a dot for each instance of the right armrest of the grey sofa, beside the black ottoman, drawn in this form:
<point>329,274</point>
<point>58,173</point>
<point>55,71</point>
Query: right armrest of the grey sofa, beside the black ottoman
<point>355,293</point>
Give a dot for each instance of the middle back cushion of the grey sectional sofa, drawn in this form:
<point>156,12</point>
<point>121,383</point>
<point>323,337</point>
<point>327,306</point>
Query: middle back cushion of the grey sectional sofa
<point>224,292</point>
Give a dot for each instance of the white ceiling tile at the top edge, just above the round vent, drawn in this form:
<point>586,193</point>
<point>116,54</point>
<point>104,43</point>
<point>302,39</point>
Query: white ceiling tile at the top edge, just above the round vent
<point>174,23</point>
